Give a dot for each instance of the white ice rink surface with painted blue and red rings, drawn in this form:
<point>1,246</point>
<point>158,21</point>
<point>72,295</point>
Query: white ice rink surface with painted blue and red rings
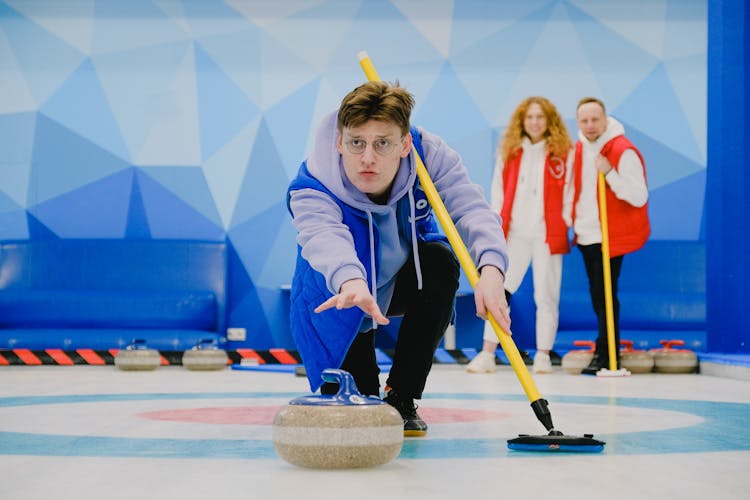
<point>84,432</point>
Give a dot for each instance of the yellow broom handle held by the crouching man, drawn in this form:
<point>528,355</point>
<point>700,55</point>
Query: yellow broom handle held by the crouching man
<point>509,347</point>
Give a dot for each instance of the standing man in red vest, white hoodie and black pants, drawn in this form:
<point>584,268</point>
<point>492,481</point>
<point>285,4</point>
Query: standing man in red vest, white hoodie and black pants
<point>603,147</point>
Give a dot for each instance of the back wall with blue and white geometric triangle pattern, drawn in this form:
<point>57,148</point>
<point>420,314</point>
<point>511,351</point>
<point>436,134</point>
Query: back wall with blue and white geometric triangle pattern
<point>187,119</point>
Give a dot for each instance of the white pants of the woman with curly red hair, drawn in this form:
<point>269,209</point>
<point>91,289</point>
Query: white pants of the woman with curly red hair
<point>547,276</point>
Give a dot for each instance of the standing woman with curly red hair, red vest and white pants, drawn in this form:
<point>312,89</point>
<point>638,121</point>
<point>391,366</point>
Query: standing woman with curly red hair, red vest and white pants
<point>528,190</point>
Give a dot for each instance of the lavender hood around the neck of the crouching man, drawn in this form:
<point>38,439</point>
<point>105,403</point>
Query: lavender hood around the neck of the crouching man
<point>325,164</point>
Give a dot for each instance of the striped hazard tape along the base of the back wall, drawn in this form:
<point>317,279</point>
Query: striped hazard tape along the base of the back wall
<point>34,357</point>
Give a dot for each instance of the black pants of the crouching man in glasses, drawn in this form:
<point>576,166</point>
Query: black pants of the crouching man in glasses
<point>426,314</point>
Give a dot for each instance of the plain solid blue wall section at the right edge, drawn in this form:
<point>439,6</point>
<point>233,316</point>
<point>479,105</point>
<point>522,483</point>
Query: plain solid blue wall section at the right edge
<point>728,204</point>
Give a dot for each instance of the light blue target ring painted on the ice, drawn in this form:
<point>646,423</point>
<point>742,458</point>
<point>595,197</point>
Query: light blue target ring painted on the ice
<point>722,427</point>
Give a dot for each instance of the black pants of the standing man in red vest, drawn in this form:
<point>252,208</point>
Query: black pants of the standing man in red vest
<point>592,258</point>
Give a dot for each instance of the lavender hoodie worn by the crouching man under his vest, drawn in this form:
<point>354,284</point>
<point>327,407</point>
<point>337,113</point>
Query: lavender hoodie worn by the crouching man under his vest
<point>326,243</point>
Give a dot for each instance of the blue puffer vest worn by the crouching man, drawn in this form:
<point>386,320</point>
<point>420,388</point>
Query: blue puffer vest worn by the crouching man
<point>323,339</point>
